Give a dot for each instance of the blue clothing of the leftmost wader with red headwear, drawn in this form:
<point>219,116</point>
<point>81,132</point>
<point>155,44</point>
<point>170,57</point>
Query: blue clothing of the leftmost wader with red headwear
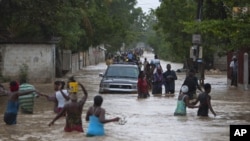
<point>10,114</point>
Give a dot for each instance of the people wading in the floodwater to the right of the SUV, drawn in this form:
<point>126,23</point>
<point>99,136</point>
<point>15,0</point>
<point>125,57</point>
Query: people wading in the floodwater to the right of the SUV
<point>152,78</point>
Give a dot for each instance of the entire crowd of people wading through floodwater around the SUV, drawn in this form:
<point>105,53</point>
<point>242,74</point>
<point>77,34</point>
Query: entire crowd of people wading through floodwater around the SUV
<point>66,103</point>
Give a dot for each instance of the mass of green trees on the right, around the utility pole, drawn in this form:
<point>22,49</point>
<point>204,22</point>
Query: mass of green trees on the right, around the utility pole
<point>220,31</point>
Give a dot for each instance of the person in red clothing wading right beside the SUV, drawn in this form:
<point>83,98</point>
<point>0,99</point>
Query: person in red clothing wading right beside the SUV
<point>142,86</point>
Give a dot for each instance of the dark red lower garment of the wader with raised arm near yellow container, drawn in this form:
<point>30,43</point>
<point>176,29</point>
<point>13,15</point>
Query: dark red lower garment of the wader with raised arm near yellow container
<point>73,123</point>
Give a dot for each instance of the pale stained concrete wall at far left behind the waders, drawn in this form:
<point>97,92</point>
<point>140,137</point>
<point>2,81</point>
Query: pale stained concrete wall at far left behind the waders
<point>40,59</point>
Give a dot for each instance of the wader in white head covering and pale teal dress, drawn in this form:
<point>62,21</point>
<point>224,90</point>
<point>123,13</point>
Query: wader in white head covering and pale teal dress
<point>183,102</point>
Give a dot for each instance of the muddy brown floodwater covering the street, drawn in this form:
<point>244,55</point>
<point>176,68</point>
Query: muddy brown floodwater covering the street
<point>147,119</point>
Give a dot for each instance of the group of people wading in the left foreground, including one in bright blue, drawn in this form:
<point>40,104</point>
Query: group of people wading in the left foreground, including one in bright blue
<point>66,104</point>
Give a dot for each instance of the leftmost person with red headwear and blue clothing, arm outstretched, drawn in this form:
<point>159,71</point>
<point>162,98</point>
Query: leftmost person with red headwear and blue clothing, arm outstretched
<point>11,112</point>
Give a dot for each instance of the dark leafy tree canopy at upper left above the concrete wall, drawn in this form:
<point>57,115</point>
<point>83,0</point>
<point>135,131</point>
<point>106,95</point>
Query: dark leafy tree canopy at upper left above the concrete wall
<point>79,23</point>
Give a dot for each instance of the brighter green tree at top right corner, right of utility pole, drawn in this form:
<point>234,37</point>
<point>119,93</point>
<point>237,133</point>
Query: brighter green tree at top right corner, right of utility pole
<point>221,31</point>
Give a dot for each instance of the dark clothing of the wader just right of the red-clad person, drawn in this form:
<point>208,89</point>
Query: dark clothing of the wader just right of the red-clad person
<point>157,83</point>
